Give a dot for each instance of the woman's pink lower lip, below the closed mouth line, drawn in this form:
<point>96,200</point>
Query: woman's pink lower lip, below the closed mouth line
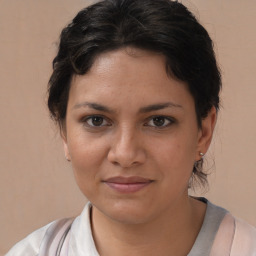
<point>127,187</point>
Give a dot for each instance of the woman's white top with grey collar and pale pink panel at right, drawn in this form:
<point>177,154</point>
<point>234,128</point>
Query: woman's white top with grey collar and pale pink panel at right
<point>221,235</point>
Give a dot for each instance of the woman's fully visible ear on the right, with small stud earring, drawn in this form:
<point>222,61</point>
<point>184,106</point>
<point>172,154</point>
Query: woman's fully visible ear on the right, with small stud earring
<point>206,133</point>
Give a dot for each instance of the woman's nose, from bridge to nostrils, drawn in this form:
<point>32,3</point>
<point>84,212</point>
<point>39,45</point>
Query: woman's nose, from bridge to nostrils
<point>126,149</point>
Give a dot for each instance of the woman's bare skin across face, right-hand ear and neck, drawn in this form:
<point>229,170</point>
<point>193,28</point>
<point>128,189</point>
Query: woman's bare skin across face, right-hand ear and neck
<point>144,126</point>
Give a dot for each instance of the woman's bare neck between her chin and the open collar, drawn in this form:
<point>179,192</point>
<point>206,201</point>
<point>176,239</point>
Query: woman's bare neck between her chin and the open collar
<point>172,233</point>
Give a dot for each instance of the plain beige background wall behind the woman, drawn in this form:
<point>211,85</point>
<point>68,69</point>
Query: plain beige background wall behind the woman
<point>36,183</point>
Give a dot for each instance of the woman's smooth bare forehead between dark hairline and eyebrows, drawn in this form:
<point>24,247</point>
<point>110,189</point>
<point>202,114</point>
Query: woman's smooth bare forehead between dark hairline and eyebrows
<point>128,76</point>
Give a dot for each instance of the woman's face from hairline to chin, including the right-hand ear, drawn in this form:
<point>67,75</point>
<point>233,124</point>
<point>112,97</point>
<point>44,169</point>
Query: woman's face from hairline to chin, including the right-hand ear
<point>132,135</point>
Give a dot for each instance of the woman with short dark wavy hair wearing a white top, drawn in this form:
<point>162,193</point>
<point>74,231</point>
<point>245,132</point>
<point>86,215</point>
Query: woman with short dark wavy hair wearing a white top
<point>135,91</point>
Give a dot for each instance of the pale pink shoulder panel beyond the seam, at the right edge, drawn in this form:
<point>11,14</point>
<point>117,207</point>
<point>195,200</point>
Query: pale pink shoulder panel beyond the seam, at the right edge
<point>244,239</point>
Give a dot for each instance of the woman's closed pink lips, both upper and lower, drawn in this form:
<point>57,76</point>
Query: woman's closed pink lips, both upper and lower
<point>127,184</point>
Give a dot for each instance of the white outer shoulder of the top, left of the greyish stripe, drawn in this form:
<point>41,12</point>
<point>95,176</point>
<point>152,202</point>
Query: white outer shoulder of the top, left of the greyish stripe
<point>29,245</point>
